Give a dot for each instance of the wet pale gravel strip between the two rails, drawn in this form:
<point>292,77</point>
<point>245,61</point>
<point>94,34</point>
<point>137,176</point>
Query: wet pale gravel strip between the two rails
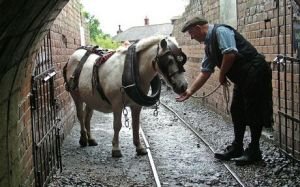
<point>181,158</point>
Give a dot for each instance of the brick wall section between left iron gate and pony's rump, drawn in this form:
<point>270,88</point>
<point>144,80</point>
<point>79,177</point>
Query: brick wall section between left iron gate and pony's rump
<point>65,36</point>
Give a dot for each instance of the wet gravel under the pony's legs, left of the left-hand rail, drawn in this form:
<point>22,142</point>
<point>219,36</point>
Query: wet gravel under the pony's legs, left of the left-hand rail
<point>94,166</point>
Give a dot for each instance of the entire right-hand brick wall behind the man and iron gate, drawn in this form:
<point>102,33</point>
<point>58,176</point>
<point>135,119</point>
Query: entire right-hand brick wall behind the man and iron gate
<point>257,21</point>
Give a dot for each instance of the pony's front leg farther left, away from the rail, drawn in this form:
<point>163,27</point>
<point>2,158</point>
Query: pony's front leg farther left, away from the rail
<point>116,151</point>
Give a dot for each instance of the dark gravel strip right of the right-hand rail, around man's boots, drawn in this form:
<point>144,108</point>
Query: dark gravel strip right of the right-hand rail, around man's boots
<point>275,170</point>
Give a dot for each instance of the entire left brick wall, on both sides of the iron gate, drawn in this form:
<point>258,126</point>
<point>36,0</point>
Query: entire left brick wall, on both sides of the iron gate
<point>65,38</point>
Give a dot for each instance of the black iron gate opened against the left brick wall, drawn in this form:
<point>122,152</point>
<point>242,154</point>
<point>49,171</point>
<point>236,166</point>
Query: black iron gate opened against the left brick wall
<point>45,129</point>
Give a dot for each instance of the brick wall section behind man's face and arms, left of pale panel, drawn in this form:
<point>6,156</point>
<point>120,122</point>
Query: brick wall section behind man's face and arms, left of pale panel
<point>195,51</point>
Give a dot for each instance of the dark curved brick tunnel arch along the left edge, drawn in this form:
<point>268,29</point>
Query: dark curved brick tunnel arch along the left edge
<point>23,25</point>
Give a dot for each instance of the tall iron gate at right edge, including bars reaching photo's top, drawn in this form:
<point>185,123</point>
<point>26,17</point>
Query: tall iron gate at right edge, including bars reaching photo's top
<point>287,81</point>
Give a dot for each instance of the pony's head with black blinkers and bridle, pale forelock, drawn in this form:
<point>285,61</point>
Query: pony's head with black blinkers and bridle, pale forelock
<point>170,60</point>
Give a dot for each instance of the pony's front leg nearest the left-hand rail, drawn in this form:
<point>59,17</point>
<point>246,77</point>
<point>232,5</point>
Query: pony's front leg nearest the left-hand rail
<point>135,114</point>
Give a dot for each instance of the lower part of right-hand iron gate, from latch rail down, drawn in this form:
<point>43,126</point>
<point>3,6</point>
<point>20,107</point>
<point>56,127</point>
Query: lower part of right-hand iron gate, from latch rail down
<point>288,85</point>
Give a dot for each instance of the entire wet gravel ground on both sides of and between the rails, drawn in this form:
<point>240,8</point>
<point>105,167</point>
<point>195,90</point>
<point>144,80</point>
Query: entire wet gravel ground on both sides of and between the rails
<point>181,159</point>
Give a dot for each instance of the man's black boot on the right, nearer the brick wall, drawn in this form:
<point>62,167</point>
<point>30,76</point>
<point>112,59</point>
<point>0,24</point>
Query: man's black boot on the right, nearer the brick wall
<point>250,156</point>
